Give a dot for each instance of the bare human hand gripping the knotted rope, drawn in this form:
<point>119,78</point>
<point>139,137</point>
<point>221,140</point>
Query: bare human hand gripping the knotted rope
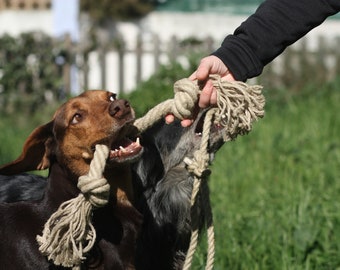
<point>208,65</point>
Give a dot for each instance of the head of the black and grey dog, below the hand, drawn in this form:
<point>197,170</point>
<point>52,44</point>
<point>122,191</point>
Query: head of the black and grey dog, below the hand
<point>166,146</point>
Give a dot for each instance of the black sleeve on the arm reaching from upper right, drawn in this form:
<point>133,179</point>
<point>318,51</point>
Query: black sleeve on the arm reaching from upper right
<point>264,35</point>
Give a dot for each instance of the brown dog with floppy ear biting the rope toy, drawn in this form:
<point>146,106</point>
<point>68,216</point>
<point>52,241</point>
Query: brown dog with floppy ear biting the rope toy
<point>65,146</point>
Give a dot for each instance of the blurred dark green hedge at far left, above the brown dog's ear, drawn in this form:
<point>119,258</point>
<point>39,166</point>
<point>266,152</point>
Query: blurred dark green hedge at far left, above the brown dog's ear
<point>28,72</point>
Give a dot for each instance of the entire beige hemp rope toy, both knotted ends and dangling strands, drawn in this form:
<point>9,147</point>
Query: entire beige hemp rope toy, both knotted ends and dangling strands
<point>69,233</point>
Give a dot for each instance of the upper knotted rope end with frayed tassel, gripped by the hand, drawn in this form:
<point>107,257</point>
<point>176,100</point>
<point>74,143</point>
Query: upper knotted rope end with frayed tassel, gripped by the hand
<point>238,105</point>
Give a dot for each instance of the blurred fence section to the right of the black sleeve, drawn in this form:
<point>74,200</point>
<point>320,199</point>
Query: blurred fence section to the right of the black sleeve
<point>299,65</point>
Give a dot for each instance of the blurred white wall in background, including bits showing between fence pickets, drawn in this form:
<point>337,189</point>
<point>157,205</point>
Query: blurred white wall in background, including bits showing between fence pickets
<point>164,24</point>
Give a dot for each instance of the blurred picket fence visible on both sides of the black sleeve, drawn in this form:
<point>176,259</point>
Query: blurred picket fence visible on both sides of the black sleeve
<point>121,67</point>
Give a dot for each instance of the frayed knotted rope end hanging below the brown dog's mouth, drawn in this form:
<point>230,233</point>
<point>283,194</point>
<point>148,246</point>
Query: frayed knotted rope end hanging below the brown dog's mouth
<point>69,233</point>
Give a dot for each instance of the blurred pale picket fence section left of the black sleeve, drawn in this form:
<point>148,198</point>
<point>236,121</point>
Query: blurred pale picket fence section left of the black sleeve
<point>121,66</point>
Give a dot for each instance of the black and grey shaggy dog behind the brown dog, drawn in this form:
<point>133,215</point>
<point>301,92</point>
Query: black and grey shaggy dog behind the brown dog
<point>163,189</point>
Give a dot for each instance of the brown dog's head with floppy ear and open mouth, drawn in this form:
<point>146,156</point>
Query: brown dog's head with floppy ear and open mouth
<point>94,117</point>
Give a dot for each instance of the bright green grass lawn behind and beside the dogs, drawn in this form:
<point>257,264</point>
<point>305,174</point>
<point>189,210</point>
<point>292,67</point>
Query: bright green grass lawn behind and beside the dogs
<point>275,192</point>
